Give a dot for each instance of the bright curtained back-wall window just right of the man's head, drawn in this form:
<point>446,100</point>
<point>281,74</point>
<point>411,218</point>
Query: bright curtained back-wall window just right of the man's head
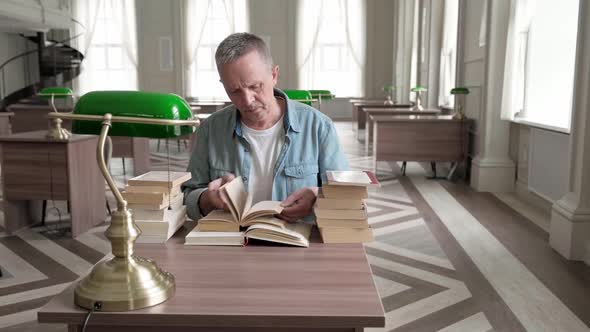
<point>331,39</point>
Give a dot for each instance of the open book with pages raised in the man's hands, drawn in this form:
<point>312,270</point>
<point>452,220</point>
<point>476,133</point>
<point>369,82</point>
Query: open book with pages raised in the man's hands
<point>241,211</point>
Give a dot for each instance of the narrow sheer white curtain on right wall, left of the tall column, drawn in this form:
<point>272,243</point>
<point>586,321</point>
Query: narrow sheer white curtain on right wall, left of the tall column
<point>448,54</point>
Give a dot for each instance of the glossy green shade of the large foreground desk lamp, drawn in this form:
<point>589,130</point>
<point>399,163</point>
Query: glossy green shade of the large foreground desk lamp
<point>135,104</point>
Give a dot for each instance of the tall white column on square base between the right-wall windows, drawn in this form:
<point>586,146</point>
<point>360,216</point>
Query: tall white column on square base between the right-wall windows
<point>492,169</point>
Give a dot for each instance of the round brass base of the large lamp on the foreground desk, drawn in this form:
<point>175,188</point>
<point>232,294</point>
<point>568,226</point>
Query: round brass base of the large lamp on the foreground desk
<point>122,284</point>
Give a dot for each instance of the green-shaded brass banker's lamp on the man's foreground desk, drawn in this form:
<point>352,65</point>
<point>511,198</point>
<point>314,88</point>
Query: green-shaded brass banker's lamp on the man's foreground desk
<point>126,281</point>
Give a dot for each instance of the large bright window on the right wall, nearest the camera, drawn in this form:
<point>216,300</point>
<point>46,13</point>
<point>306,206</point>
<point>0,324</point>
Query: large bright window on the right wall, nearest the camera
<point>540,63</point>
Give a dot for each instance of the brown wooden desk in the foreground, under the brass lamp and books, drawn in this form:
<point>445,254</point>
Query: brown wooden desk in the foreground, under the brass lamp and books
<point>252,288</point>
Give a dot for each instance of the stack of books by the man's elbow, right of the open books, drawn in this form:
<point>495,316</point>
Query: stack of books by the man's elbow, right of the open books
<point>341,212</point>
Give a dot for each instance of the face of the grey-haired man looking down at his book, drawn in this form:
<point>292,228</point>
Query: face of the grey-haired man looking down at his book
<point>249,84</point>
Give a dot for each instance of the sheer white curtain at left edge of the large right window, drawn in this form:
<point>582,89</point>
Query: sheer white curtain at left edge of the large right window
<point>521,15</point>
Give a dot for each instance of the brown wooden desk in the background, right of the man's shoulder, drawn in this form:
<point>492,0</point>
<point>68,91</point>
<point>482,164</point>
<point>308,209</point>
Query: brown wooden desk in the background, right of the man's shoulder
<point>420,138</point>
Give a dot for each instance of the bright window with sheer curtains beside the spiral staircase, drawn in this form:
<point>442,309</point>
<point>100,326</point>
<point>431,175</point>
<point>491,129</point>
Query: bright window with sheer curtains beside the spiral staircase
<point>109,44</point>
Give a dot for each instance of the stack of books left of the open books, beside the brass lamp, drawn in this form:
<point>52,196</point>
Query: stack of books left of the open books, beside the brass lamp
<point>157,204</point>
